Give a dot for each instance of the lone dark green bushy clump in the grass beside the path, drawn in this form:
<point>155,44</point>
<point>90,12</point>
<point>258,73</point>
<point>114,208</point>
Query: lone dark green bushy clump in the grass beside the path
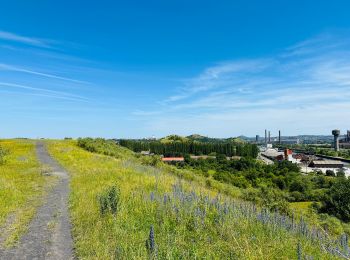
<point>109,200</point>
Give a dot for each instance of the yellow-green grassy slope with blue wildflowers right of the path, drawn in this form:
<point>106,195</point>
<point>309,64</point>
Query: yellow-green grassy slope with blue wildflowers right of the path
<point>178,232</point>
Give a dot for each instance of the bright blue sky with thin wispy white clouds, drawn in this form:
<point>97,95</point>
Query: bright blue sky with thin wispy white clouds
<point>142,68</point>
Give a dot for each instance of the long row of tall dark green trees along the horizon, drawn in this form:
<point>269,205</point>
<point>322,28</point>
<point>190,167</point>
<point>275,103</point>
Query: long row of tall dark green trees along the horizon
<point>196,148</point>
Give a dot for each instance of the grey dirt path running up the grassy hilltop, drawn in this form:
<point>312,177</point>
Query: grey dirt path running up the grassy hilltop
<point>49,234</point>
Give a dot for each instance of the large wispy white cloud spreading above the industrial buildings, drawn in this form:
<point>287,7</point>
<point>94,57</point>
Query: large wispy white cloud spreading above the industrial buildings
<point>300,82</point>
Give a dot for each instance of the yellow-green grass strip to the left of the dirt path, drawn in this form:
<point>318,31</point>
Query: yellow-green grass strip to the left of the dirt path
<point>21,188</point>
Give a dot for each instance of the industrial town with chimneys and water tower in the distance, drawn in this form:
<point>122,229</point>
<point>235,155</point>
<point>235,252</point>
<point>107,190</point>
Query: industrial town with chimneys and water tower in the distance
<point>311,153</point>
